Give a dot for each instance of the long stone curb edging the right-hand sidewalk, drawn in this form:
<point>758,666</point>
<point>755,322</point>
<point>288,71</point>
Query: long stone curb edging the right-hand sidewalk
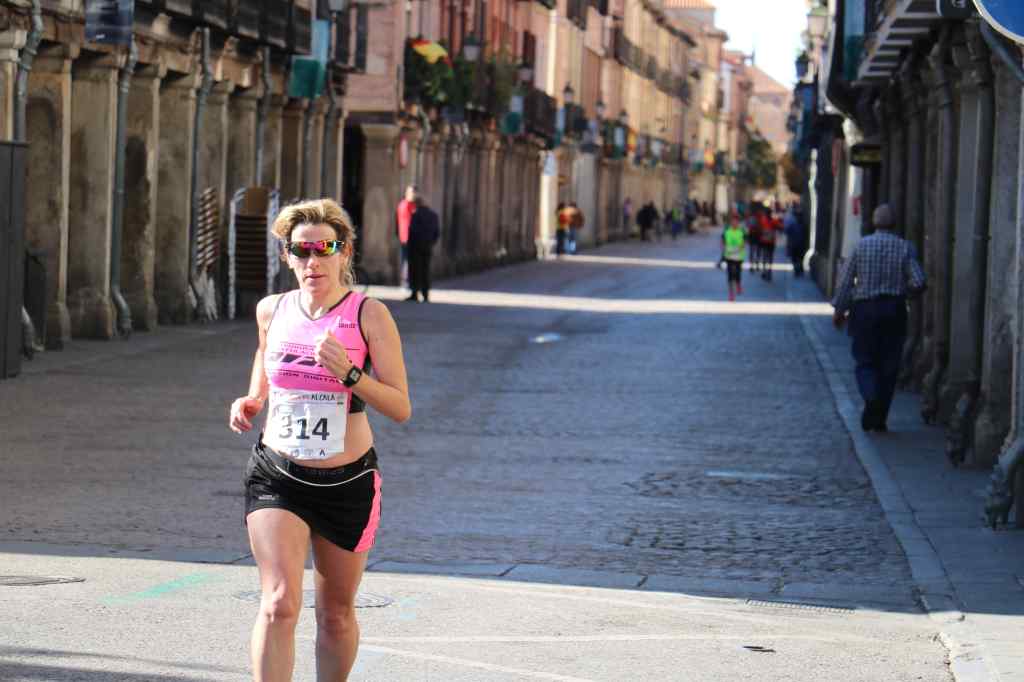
<point>968,662</point>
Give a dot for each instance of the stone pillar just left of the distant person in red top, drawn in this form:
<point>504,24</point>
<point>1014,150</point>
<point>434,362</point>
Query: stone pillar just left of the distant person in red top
<point>381,187</point>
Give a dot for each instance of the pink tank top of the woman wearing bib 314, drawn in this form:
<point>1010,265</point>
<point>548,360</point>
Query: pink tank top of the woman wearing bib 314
<point>292,335</point>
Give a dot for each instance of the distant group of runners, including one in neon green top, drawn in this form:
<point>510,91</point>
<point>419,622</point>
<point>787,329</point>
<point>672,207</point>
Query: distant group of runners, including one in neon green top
<point>751,234</point>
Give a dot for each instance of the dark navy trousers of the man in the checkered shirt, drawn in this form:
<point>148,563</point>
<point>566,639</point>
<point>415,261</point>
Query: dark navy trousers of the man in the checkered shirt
<point>879,330</point>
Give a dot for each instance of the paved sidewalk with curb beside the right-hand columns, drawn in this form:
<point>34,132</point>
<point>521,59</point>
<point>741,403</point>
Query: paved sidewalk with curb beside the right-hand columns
<point>971,579</point>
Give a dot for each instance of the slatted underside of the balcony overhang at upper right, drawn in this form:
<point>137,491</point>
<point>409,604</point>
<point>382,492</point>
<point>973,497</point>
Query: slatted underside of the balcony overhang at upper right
<point>895,32</point>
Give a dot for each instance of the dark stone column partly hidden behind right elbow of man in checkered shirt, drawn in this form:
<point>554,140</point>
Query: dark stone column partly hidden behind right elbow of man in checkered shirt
<point>914,206</point>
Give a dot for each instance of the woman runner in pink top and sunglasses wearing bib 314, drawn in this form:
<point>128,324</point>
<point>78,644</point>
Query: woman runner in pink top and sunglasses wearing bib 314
<point>326,354</point>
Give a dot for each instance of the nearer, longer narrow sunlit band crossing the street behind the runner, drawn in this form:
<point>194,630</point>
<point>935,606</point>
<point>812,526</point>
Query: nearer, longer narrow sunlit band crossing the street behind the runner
<point>494,300</point>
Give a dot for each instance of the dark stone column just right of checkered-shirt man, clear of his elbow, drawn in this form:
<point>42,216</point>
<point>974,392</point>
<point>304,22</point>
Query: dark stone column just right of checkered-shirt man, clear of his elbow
<point>940,240</point>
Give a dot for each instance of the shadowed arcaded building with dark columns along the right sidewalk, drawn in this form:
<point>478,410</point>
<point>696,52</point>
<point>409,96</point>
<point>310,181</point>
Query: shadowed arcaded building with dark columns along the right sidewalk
<point>920,107</point>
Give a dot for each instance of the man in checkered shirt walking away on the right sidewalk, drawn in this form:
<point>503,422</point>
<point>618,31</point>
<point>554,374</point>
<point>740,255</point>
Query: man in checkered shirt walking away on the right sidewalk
<point>873,292</point>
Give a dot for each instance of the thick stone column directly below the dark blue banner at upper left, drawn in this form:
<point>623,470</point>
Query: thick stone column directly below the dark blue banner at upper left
<point>94,118</point>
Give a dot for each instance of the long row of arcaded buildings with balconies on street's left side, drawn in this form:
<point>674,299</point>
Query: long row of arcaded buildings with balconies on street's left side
<point>160,142</point>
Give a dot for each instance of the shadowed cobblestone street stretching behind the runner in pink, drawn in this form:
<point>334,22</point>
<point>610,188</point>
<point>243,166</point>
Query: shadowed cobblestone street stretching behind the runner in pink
<point>610,417</point>
